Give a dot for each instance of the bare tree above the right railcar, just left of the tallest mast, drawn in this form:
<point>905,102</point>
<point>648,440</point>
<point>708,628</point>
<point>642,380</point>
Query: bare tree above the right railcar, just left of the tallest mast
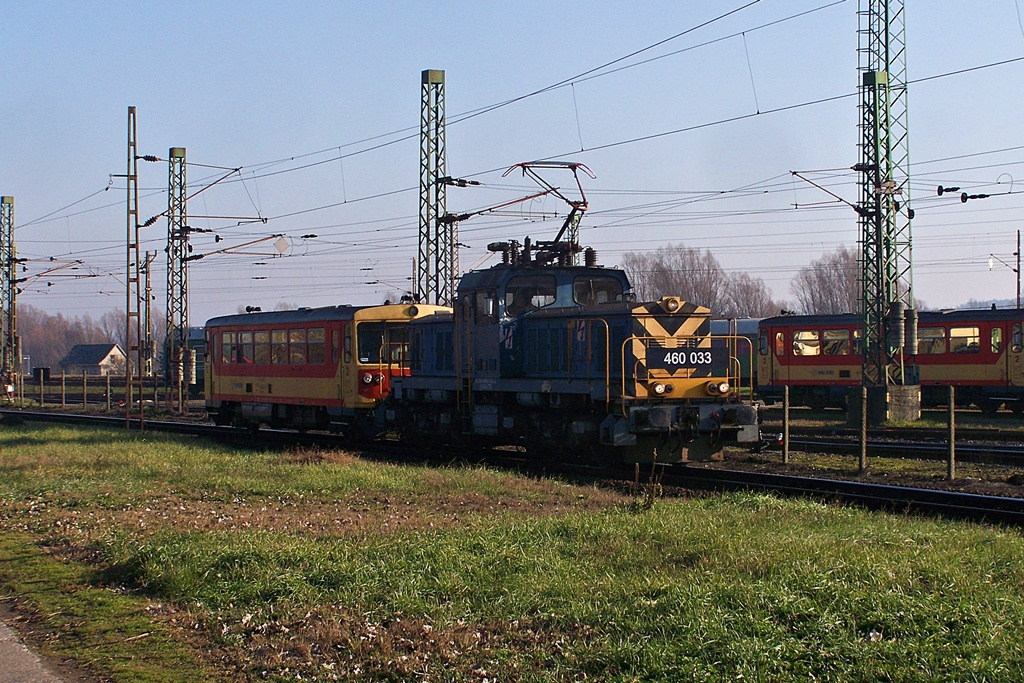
<point>830,285</point>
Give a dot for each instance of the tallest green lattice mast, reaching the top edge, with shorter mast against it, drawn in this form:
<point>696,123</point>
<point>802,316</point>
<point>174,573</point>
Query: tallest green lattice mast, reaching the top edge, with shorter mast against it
<point>885,195</point>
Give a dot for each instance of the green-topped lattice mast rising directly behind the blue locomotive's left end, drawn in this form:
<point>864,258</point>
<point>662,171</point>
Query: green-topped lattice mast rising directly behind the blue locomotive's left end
<point>438,262</point>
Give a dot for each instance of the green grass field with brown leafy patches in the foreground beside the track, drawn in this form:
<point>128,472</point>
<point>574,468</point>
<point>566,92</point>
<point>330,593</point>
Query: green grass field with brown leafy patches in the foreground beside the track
<point>154,559</point>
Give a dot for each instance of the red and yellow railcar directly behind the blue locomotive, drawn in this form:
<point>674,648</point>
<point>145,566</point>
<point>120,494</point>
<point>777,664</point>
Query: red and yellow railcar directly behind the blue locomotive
<point>308,369</point>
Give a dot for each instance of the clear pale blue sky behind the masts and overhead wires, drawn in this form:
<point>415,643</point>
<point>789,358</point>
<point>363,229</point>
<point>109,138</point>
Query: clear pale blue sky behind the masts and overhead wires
<point>272,88</point>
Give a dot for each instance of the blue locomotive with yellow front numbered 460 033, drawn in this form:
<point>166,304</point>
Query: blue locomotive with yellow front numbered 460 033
<point>561,360</point>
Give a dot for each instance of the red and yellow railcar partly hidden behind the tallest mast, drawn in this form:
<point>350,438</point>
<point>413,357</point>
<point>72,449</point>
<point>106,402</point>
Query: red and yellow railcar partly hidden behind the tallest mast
<point>980,353</point>
